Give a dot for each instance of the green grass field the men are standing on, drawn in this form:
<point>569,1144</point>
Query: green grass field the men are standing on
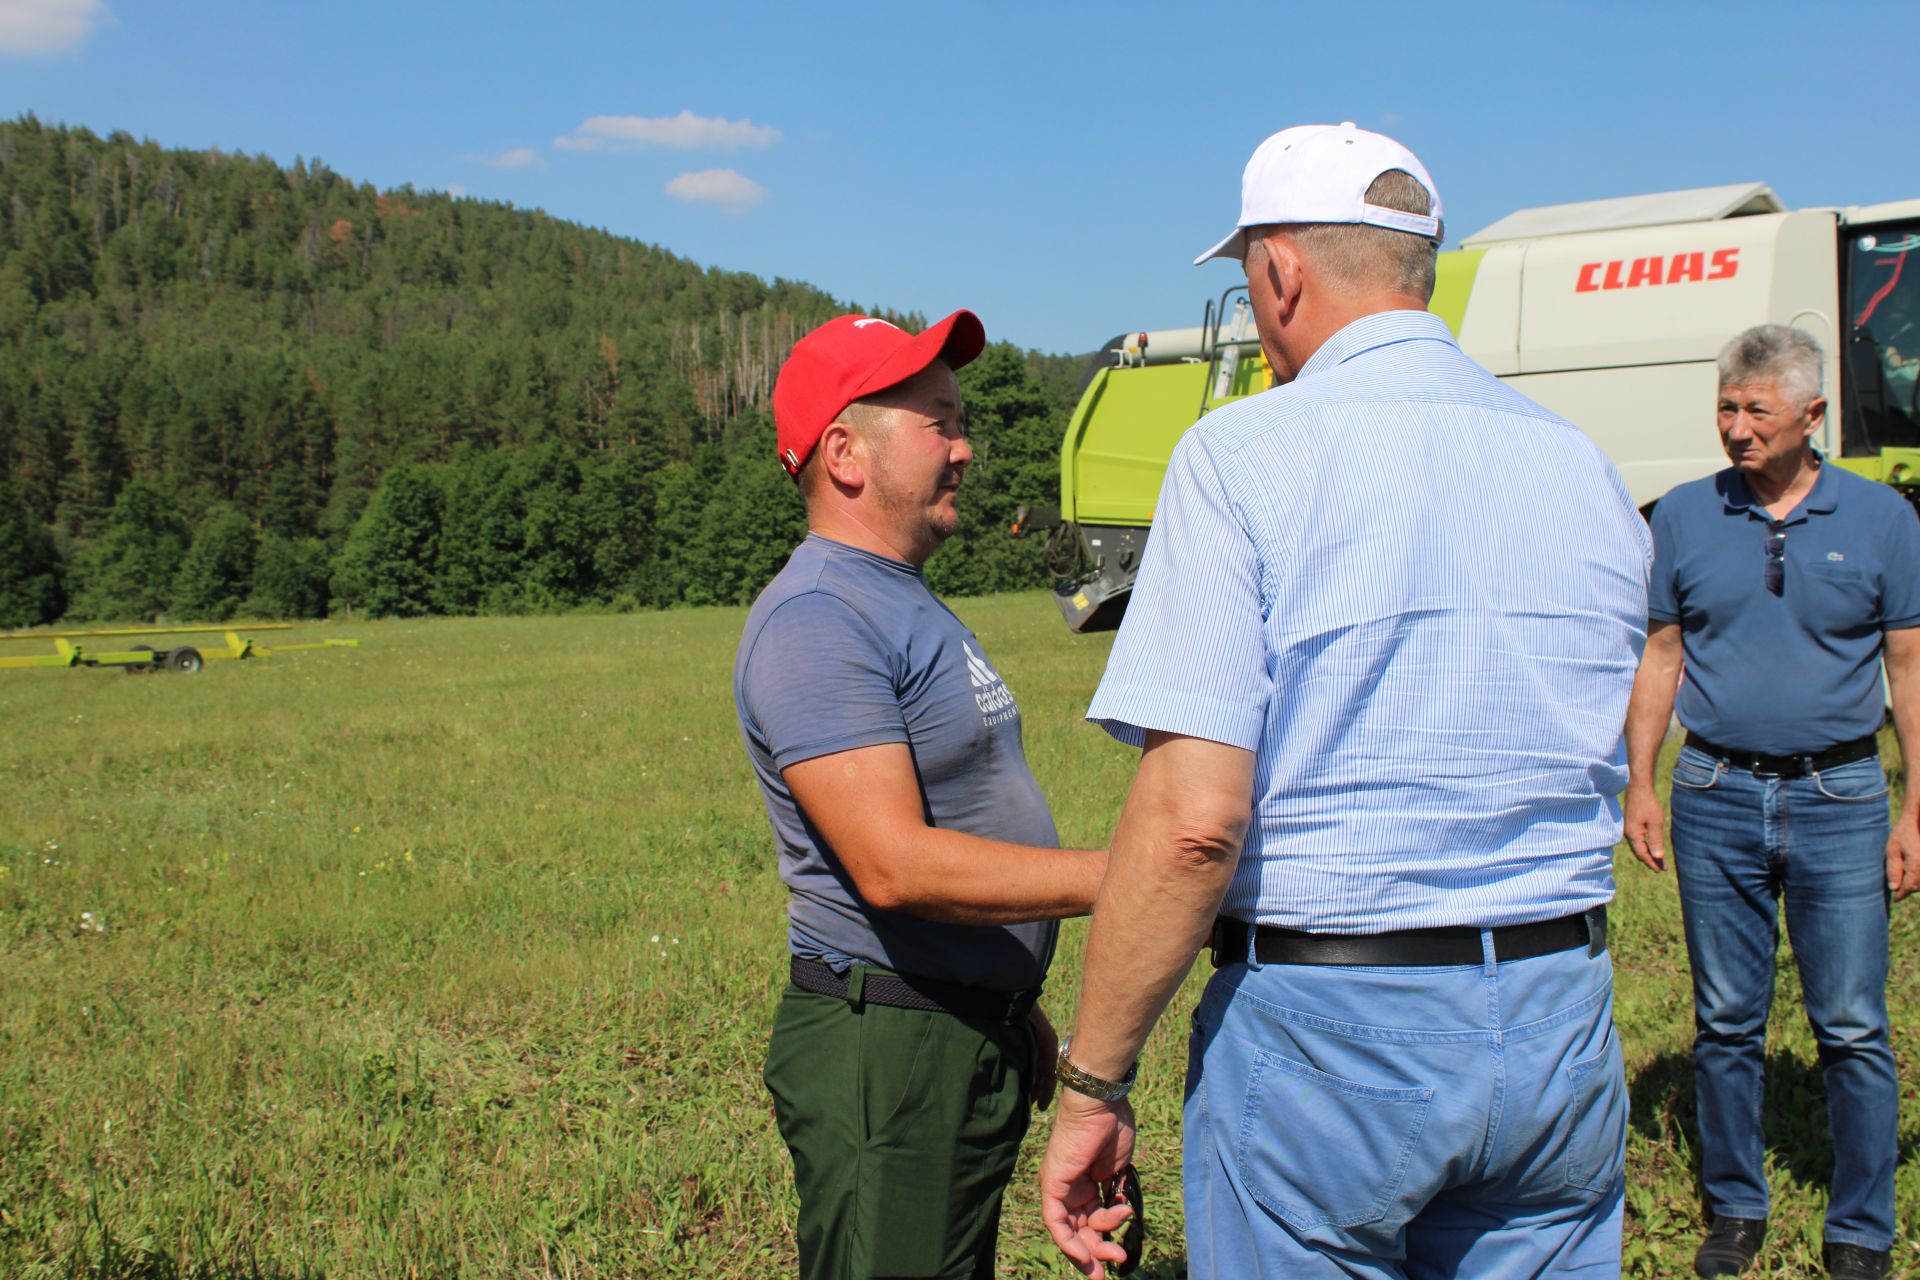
<point>456,955</point>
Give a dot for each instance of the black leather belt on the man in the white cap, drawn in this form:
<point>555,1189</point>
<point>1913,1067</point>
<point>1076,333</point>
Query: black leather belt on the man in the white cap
<point>1408,947</point>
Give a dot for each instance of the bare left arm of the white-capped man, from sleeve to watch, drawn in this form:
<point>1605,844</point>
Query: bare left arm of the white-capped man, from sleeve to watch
<point>1172,861</point>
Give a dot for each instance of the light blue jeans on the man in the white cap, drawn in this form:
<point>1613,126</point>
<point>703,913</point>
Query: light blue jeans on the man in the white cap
<point>1447,1122</point>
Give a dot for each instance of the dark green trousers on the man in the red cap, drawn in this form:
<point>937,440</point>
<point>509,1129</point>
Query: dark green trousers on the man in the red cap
<point>903,1129</point>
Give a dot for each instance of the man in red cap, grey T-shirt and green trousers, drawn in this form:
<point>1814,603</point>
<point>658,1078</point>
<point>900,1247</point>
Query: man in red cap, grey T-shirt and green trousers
<point>921,855</point>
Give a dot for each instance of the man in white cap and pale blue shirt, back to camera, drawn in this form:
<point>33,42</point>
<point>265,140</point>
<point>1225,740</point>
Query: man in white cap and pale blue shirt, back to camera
<point>1380,673</point>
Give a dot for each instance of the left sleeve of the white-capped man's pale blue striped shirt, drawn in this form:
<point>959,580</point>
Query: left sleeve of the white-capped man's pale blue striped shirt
<point>1191,655</point>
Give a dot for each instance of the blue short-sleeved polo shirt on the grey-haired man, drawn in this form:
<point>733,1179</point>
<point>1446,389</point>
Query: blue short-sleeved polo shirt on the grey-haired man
<point>1794,673</point>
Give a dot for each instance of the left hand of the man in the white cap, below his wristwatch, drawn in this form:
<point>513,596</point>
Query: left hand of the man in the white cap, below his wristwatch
<point>1092,1145</point>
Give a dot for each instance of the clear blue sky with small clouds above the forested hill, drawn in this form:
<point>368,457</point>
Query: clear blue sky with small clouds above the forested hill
<point>1055,168</point>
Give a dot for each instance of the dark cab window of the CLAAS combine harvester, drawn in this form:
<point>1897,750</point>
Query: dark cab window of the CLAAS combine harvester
<point>1883,341</point>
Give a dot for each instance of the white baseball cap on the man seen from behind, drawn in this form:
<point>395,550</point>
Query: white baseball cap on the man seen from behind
<point>1320,174</point>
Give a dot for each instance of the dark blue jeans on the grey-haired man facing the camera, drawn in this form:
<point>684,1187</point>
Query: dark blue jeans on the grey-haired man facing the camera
<point>1744,843</point>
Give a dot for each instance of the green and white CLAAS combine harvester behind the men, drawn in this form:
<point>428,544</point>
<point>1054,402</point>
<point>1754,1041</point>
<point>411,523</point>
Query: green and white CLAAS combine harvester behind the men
<point>1610,314</point>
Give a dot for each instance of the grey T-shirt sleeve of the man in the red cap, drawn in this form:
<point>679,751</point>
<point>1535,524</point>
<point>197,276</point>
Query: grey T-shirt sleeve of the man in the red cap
<point>819,682</point>
